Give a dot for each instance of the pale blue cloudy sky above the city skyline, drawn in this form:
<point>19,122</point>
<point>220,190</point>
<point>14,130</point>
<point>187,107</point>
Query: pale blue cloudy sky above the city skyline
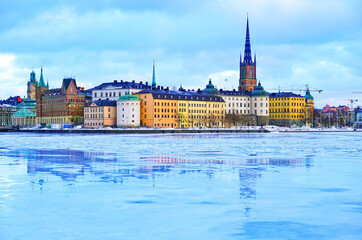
<point>297,42</point>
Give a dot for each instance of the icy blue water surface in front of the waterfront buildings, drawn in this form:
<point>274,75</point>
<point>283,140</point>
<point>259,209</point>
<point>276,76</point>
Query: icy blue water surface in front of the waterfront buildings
<point>181,186</point>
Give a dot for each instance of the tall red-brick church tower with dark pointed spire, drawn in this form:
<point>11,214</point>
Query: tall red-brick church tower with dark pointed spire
<point>247,81</point>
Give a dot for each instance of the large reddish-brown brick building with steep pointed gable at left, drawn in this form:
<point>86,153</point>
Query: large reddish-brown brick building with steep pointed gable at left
<point>60,105</point>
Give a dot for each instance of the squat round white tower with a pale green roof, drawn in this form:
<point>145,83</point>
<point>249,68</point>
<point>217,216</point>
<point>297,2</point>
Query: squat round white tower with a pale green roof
<point>128,111</point>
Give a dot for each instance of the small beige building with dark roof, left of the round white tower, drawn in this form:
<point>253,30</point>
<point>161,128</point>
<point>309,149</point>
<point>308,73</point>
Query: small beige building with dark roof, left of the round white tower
<point>100,113</point>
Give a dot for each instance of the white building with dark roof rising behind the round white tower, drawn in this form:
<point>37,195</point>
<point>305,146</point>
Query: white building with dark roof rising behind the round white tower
<point>113,90</point>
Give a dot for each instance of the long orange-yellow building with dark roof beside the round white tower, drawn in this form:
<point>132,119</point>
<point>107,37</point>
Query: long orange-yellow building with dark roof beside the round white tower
<point>180,109</point>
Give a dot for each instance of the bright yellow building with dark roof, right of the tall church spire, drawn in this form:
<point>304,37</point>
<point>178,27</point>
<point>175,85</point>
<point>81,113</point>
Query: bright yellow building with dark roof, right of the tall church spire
<point>287,109</point>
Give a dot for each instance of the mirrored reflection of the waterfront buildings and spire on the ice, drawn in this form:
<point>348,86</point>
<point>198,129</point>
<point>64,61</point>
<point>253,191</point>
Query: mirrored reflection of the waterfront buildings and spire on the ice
<point>115,168</point>
